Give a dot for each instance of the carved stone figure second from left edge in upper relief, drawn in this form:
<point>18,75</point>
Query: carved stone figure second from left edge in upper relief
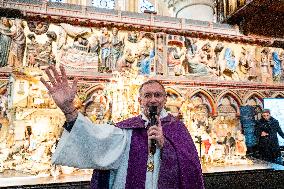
<point>18,43</point>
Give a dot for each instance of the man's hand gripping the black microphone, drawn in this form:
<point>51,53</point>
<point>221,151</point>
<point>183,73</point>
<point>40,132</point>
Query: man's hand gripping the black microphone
<point>156,132</point>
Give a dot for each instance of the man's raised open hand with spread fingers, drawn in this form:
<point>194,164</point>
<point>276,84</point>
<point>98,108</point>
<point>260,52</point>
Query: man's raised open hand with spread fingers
<point>62,94</point>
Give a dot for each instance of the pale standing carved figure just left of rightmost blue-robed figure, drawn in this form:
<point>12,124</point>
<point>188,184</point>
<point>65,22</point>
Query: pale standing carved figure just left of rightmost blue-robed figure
<point>265,66</point>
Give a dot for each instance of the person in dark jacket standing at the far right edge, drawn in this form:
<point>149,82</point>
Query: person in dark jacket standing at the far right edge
<point>267,129</point>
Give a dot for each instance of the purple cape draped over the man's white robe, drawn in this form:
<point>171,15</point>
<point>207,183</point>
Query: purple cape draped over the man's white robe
<point>180,167</point>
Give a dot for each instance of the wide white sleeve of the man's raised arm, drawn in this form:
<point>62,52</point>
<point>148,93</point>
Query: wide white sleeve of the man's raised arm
<point>90,146</point>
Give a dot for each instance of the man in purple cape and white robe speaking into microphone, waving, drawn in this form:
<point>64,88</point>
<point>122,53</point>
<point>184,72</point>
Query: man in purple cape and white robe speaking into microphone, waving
<point>153,150</point>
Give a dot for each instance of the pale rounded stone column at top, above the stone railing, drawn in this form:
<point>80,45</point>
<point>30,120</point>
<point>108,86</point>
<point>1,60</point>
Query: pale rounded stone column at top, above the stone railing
<point>193,9</point>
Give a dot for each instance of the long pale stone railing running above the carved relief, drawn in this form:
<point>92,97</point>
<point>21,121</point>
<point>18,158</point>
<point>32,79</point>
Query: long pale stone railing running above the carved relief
<point>41,7</point>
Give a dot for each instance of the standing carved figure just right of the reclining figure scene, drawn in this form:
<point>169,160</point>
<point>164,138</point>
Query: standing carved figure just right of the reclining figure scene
<point>105,49</point>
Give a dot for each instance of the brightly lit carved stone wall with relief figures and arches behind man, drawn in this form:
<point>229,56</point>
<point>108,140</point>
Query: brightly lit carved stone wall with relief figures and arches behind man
<point>207,81</point>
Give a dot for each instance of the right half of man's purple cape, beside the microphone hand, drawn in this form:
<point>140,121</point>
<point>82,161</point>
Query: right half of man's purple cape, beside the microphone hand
<point>179,146</point>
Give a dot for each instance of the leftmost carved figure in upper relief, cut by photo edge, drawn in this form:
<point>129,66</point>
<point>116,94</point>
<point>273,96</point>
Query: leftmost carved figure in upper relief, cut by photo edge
<point>5,41</point>
